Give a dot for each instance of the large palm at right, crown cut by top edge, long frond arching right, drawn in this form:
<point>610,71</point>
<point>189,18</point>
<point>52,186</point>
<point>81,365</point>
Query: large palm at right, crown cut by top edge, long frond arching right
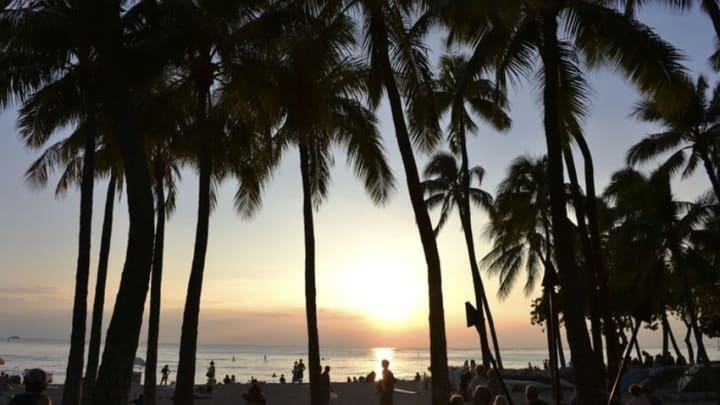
<point>602,36</point>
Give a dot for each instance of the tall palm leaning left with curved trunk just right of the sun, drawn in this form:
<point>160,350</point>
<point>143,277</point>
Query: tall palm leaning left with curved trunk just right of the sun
<point>386,39</point>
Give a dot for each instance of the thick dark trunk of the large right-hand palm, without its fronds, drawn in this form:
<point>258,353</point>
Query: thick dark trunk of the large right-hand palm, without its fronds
<point>578,338</point>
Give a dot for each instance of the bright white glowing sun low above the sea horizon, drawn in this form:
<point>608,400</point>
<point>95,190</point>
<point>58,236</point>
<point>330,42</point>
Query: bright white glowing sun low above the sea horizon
<point>385,291</point>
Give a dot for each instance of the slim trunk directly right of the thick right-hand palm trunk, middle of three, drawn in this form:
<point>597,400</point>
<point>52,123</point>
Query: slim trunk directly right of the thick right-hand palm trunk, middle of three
<point>580,214</point>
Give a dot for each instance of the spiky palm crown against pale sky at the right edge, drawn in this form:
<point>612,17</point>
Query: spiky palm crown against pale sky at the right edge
<point>691,131</point>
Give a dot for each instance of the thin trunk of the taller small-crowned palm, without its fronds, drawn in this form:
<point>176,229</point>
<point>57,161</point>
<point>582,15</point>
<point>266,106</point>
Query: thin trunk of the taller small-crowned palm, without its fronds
<point>478,287</point>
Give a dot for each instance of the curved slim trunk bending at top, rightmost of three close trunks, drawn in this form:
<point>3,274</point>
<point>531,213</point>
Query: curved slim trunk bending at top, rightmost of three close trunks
<point>612,347</point>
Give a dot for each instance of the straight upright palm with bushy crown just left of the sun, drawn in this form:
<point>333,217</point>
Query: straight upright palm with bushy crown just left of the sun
<point>326,113</point>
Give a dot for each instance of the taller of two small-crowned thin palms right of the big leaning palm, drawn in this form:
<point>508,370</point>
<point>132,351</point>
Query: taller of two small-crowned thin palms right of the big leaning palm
<point>489,104</point>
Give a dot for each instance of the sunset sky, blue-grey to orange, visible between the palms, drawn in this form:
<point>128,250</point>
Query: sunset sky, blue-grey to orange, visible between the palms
<point>371,275</point>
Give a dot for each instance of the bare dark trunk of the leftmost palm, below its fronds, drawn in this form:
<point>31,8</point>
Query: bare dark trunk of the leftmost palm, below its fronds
<point>73,379</point>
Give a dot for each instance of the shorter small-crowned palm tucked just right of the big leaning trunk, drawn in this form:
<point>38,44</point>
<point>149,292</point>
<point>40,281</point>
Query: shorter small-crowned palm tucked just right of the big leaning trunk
<point>446,187</point>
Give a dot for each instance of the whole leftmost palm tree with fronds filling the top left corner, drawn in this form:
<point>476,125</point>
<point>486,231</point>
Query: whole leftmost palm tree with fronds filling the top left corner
<point>39,38</point>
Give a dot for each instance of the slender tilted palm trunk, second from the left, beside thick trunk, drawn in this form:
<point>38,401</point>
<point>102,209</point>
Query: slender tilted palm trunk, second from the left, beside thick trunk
<point>99,300</point>
